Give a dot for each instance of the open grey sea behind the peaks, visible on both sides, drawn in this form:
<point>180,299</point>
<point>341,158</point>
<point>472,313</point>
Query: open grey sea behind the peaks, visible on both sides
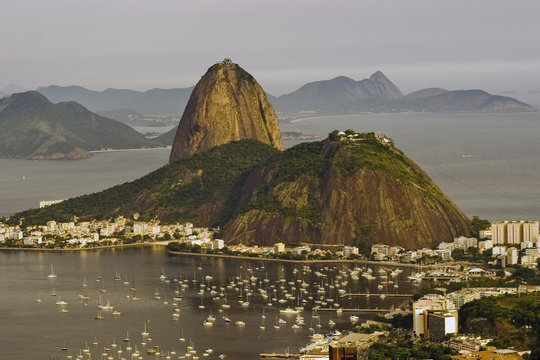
<point>488,164</point>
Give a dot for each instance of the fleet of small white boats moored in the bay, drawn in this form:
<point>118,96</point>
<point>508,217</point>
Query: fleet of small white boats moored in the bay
<point>311,299</point>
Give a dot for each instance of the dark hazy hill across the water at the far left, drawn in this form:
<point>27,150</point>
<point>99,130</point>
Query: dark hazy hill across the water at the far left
<point>33,127</point>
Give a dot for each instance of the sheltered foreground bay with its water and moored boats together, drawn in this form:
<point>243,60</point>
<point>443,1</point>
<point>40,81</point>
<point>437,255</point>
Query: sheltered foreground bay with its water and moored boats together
<point>182,307</point>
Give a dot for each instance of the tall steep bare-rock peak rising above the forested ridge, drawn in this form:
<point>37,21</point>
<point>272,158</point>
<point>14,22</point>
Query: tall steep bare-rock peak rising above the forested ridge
<point>226,105</point>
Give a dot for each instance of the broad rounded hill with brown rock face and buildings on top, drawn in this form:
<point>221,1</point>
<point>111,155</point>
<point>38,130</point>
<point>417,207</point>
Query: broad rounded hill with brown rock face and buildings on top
<point>344,192</point>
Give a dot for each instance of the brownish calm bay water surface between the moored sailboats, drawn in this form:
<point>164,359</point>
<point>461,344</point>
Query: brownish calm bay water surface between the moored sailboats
<point>32,330</point>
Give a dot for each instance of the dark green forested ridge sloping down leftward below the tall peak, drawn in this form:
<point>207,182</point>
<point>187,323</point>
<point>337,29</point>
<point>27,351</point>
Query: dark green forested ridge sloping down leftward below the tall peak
<point>215,176</point>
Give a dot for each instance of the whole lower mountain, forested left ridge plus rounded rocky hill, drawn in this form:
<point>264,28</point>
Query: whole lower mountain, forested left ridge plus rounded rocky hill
<point>343,190</point>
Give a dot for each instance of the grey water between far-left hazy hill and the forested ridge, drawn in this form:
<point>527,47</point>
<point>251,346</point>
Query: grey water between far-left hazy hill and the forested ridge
<point>24,183</point>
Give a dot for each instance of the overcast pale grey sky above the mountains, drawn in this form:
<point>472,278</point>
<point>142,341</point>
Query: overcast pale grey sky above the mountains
<point>455,44</point>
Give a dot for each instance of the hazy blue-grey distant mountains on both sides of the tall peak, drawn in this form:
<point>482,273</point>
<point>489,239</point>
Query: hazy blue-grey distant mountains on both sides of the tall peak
<point>341,95</point>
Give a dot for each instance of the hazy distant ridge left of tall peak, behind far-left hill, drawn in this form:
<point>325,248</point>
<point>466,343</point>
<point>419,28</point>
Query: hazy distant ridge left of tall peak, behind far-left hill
<point>151,102</point>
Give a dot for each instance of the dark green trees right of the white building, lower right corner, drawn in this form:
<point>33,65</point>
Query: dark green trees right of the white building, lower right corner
<point>511,320</point>
